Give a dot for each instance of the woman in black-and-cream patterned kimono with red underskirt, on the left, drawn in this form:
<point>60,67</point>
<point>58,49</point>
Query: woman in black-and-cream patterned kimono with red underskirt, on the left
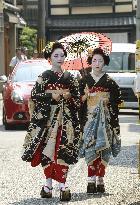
<point>53,135</point>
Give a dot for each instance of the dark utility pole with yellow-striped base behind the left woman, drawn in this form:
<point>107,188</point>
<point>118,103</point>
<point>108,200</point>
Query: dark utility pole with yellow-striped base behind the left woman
<point>41,38</point>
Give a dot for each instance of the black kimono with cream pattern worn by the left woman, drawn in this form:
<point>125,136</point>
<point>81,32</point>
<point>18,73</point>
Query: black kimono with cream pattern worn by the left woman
<point>49,115</point>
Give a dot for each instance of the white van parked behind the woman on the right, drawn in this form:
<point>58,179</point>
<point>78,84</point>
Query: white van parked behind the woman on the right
<point>122,69</point>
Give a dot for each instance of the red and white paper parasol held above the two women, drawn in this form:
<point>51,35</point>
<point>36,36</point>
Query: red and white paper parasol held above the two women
<point>80,45</point>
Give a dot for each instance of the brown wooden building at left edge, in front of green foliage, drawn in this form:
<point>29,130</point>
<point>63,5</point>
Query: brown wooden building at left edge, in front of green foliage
<point>10,24</point>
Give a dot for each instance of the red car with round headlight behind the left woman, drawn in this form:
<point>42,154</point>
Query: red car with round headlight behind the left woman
<point>17,90</point>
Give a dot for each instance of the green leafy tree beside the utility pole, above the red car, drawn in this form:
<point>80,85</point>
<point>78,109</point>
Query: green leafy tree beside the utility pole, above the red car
<point>28,38</point>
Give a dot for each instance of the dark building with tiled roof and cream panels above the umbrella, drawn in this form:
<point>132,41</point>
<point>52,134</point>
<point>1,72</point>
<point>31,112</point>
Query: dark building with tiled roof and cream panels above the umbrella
<point>115,18</point>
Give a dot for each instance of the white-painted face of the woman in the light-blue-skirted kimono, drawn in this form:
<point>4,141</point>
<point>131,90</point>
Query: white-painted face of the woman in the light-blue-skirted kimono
<point>97,63</point>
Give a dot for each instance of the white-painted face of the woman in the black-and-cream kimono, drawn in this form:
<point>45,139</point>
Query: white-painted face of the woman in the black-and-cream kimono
<point>57,57</point>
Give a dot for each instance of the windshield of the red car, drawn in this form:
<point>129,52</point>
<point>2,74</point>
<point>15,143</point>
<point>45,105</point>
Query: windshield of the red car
<point>29,72</point>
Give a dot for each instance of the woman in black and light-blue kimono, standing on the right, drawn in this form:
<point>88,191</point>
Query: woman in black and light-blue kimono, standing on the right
<point>99,120</point>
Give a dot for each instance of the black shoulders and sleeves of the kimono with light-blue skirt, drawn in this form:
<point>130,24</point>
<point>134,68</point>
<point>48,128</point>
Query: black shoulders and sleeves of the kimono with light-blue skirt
<point>115,98</point>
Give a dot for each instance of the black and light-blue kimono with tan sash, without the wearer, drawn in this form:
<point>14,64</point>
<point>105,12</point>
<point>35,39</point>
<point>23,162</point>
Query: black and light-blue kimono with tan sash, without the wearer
<point>99,125</point>
